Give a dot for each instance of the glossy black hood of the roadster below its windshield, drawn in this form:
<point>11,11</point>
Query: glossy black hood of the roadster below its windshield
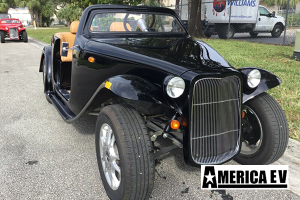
<point>176,55</point>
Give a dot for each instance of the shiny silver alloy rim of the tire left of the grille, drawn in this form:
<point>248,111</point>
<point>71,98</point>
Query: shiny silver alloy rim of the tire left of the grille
<point>110,159</point>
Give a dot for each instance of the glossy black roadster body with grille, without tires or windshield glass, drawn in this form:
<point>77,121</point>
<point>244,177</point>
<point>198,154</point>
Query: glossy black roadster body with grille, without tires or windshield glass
<point>134,68</point>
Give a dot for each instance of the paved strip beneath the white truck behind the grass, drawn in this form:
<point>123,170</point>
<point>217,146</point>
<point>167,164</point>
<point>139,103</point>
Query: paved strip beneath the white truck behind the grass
<point>266,38</point>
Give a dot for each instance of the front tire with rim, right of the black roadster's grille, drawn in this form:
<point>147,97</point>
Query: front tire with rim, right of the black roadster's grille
<point>265,132</point>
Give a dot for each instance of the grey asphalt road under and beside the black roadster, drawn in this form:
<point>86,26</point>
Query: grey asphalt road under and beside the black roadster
<point>42,157</point>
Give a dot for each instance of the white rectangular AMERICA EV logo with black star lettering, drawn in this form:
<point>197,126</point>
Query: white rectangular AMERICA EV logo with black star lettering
<point>244,176</point>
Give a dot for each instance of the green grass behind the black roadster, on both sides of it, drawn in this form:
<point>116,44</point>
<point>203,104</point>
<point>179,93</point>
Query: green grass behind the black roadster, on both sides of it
<point>277,59</point>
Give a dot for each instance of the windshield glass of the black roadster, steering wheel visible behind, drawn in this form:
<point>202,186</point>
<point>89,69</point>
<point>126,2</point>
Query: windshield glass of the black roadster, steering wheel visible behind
<point>135,22</point>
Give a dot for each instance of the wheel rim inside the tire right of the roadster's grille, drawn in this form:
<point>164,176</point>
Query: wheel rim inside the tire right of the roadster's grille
<point>252,132</point>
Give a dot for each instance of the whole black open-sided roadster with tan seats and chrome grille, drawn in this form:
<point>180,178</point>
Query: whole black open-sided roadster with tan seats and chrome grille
<point>145,77</point>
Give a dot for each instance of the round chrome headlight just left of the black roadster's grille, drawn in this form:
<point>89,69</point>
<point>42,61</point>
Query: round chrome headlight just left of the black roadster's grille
<point>175,87</point>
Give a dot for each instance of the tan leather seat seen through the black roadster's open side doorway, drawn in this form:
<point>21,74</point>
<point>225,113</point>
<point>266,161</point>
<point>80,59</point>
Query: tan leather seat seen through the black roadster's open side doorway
<point>70,38</point>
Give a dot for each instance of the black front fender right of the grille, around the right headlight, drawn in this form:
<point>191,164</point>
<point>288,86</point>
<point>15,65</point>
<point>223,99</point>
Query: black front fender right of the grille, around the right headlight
<point>268,81</point>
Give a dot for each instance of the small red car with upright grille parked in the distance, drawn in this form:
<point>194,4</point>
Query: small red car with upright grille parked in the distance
<point>13,29</point>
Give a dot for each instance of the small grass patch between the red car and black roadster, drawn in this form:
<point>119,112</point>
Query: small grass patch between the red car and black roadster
<point>45,34</point>
